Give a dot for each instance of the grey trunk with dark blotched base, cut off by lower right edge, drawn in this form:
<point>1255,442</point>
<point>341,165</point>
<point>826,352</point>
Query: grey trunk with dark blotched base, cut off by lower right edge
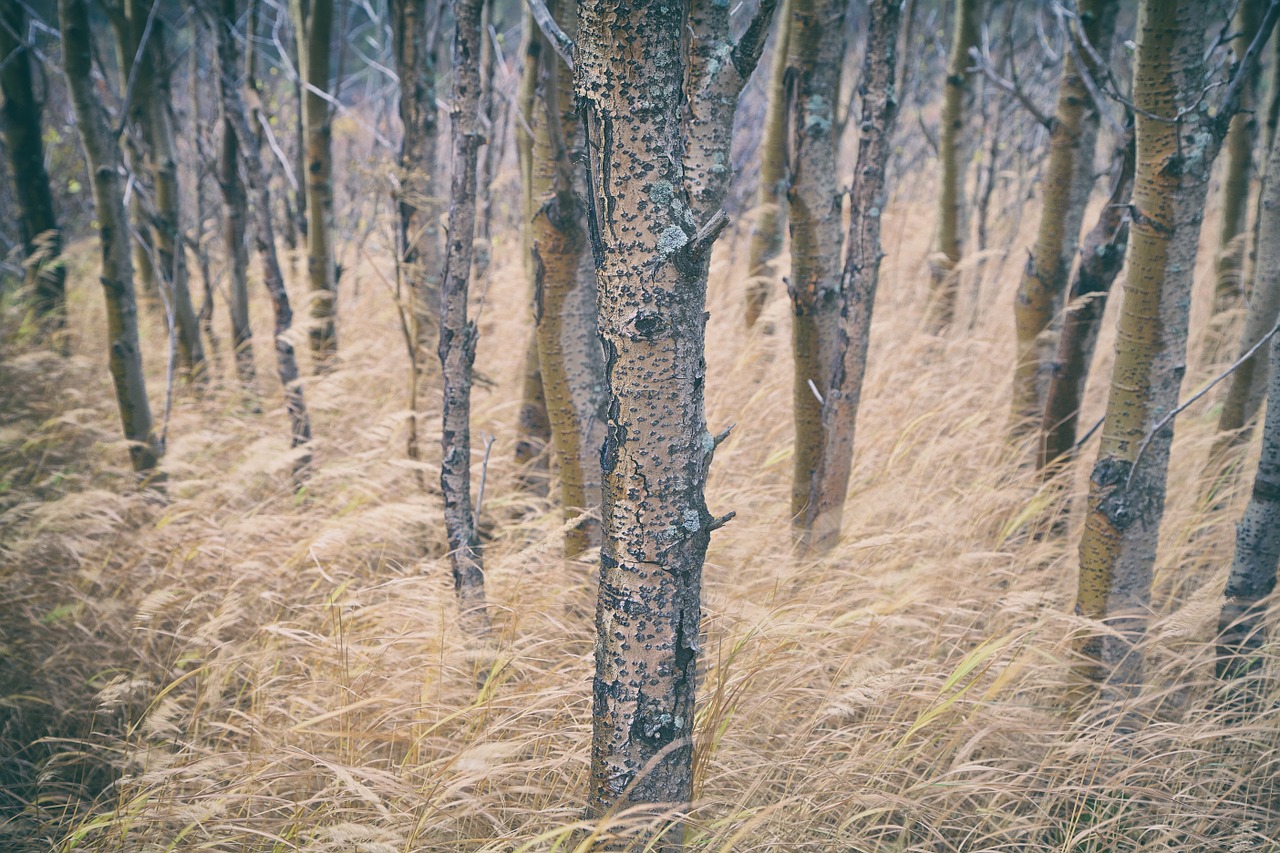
<point>1258,551</point>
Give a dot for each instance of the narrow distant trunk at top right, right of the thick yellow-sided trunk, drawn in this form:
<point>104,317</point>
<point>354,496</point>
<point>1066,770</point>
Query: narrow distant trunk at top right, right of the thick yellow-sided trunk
<point>1238,174</point>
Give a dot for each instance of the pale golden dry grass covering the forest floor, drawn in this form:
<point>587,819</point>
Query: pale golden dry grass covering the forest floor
<point>232,665</point>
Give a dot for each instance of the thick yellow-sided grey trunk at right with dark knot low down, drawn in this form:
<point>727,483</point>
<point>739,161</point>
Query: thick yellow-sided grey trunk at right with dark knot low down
<point>1127,490</point>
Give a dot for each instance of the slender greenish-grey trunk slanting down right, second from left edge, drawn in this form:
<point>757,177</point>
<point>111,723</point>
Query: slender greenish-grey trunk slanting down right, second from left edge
<point>106,167</point>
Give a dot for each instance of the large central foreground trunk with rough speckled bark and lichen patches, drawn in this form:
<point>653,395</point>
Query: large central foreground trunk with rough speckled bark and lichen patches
<point>651,259</point>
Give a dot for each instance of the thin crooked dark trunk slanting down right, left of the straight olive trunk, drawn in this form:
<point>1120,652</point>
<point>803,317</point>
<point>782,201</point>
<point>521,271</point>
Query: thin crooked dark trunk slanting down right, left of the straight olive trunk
<point>234,110</point>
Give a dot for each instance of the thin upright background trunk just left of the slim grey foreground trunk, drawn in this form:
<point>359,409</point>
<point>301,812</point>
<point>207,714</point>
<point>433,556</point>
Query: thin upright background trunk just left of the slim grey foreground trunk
<point>417,26</point>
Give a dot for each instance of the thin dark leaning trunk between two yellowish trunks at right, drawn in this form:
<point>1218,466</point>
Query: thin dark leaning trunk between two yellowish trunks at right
<point>1101,261</point>
